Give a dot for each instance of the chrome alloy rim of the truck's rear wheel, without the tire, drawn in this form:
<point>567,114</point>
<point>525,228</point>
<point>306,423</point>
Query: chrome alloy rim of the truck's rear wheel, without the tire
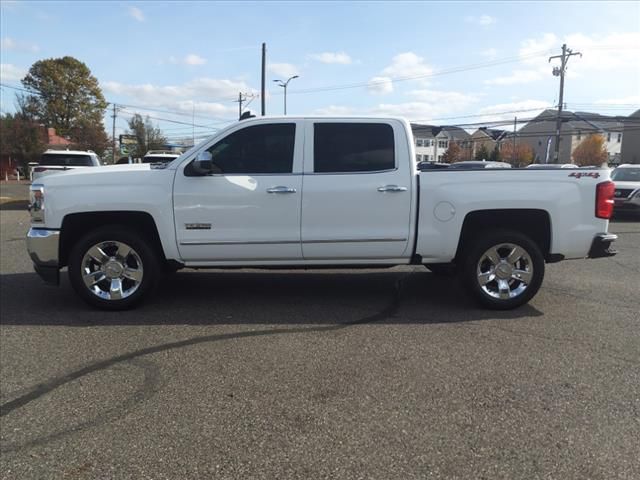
<point>504,271</point>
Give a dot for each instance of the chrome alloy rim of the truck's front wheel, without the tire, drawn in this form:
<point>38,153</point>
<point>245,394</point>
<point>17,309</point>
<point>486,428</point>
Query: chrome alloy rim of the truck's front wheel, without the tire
<point>112,270</point>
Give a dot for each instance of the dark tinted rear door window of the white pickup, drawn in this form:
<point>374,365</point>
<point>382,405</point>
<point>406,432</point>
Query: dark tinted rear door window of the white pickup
<point>353,147</point>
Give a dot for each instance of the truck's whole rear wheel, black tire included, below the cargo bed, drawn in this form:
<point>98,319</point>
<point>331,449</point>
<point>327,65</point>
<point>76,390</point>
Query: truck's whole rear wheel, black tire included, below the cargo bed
<point>478,267</point>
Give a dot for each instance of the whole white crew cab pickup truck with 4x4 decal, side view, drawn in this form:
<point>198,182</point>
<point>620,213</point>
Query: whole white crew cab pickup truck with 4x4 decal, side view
<point>314,192</point>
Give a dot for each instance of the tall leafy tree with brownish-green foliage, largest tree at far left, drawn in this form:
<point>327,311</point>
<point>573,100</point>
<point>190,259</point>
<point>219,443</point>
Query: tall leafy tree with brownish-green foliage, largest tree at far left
<point>68,98</point>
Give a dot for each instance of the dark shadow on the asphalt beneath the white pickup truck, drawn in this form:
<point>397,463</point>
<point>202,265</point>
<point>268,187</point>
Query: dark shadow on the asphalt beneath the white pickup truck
<point>259,298</point>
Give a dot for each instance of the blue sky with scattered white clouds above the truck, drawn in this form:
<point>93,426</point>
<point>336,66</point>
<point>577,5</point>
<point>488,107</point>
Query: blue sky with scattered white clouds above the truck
<point>438,62</point>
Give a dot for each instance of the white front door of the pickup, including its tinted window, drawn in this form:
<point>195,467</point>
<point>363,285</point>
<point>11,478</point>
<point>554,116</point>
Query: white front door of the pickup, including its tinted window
<point>248,208</point>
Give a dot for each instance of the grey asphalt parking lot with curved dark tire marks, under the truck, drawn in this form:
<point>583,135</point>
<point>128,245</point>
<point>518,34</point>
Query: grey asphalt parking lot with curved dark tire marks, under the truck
<point>388,374</point>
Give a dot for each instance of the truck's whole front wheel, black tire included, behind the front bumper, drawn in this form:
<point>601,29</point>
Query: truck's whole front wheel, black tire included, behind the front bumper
<point>141,260</point>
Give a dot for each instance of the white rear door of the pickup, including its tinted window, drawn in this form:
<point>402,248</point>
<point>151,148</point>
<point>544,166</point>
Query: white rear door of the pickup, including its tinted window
<point>357,194</point>
